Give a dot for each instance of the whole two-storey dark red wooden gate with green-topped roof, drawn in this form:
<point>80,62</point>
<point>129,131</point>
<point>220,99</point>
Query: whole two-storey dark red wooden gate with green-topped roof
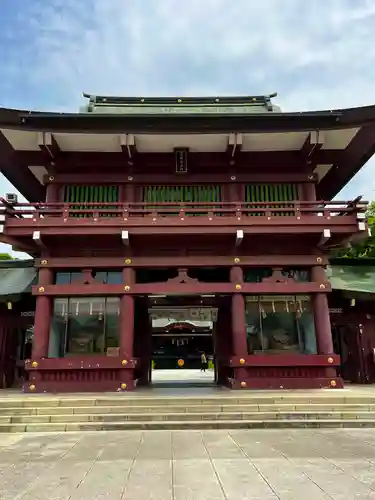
<point>218,207</point>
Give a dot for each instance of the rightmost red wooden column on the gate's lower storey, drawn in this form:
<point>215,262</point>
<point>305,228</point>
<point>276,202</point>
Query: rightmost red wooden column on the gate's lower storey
<point>321,314</point>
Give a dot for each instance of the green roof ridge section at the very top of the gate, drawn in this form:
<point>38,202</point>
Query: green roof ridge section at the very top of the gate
<point>179,105</point>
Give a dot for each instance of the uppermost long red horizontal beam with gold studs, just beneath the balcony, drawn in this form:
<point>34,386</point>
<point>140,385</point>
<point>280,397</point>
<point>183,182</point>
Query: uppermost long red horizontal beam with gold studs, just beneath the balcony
<point>191,261</point>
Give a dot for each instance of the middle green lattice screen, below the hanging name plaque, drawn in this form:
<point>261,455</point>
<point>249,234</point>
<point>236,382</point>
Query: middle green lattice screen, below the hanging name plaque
<point>178,194</point>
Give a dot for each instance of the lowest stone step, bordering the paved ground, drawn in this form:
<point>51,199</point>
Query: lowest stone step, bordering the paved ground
<point>186,425</point>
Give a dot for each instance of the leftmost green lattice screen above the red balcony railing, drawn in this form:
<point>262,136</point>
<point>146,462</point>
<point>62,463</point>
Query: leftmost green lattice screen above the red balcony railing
<point>91,194</point>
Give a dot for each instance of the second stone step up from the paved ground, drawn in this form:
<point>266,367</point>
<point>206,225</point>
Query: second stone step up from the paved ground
<point>184,417</point>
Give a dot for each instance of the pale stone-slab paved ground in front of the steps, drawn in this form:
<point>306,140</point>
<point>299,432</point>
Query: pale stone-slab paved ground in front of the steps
<point>209,465</point>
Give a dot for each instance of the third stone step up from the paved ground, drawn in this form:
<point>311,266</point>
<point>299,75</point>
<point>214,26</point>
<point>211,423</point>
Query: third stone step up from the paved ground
<point>227,408</point>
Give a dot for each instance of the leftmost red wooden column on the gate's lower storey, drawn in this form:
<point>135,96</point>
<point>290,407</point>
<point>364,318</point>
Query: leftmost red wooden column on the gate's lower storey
<point>43,317</point>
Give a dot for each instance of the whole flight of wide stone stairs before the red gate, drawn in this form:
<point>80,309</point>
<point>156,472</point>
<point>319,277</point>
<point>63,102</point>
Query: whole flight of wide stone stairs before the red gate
<point>43,413</point>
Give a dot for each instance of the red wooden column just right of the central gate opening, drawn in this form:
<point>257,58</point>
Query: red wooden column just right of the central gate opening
<point>239,340</point>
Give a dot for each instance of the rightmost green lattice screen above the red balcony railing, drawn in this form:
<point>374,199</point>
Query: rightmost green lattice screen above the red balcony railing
<point>272,193</point>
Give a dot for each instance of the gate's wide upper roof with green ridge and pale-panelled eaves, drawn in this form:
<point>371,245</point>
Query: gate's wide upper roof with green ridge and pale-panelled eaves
<point>337,142</point>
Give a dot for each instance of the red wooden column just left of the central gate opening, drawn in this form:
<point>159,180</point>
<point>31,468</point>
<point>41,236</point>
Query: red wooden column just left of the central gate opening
<point>127,315</point>
